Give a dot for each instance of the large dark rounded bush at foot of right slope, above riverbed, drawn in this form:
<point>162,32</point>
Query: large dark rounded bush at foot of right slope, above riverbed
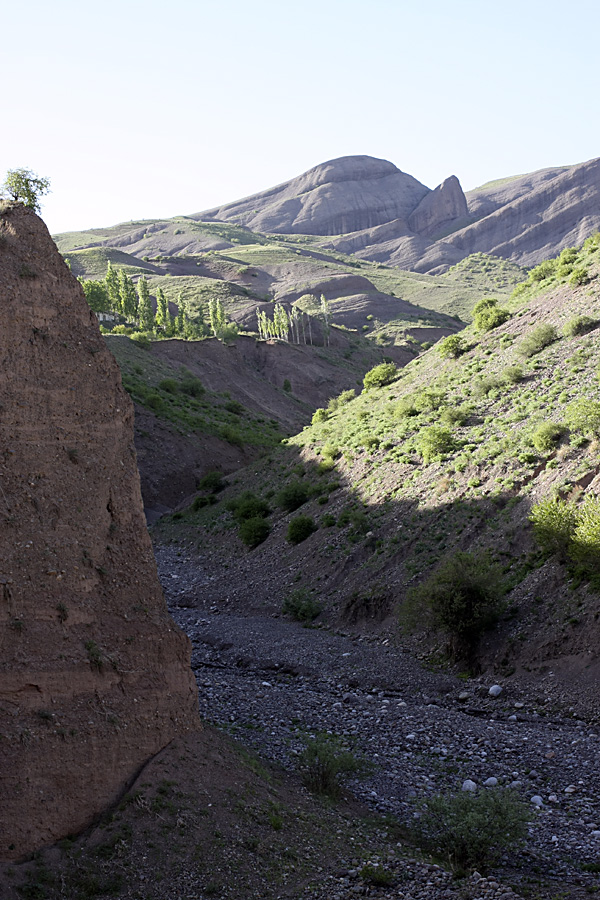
<point>464,596</point>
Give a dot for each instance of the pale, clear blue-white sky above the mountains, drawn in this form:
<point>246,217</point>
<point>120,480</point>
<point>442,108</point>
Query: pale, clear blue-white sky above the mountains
<point>141,110</point>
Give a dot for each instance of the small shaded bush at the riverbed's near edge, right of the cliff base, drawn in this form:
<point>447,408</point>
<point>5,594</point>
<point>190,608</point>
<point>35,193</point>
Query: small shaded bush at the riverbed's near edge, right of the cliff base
<point>324,762</point>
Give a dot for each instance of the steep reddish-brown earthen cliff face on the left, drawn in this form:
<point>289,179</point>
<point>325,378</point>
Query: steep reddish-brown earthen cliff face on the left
<point>94,675</point>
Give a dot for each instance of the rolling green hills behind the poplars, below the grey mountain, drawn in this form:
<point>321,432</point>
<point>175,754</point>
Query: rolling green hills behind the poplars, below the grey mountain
<point>200,260</point>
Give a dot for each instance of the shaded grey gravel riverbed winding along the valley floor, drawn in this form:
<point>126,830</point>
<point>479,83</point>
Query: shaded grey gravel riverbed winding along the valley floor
<point>271,683</point>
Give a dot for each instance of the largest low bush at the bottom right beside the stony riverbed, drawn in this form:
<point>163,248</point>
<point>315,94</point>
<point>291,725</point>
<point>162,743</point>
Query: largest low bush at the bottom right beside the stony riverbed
<point>472,830</point>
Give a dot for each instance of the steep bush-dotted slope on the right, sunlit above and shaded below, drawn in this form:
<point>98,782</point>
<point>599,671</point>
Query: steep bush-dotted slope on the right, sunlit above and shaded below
<point>451,456</point>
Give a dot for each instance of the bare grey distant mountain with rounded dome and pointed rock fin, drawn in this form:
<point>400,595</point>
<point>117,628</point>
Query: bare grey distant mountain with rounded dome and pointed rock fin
<point>370,208</point>
